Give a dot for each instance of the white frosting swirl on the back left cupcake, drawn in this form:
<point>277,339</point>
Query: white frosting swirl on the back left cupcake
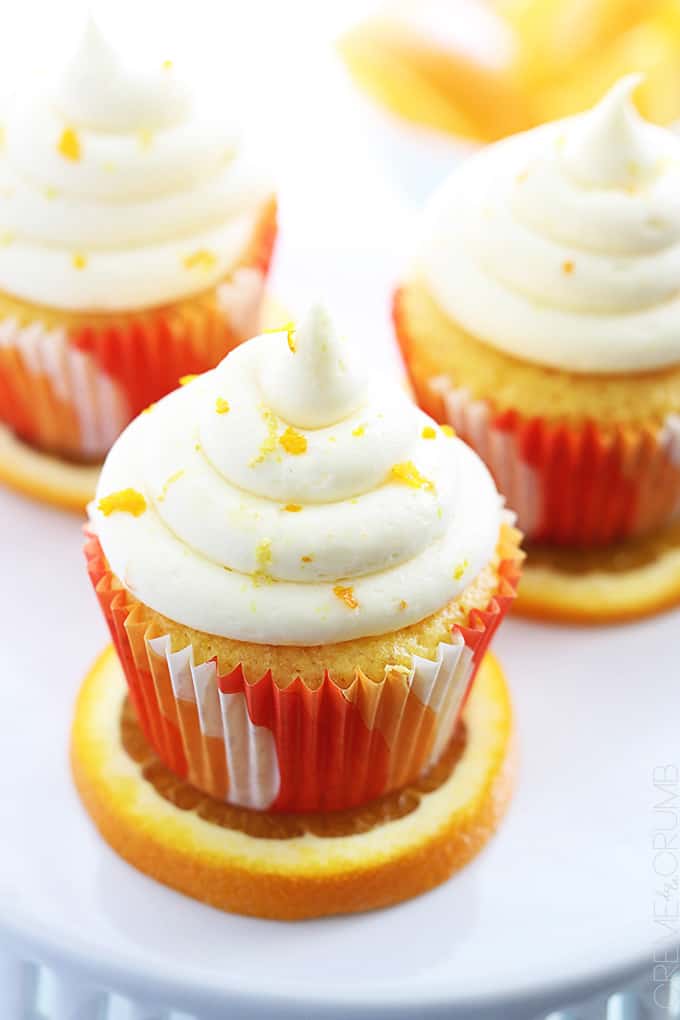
<point>117,191</point>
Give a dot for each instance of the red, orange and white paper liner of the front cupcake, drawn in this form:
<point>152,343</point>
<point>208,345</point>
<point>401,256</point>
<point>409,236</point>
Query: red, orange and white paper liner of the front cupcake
<point>295,748</point>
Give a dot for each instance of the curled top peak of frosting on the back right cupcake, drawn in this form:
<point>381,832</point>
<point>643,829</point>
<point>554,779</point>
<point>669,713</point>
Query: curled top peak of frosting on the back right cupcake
<point>611,147</point>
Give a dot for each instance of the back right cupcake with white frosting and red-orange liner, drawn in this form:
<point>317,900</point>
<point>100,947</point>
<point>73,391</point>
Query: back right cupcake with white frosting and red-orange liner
<point>541,321</point>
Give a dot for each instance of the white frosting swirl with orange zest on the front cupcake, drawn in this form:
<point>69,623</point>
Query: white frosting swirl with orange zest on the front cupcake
<point>263,529</point>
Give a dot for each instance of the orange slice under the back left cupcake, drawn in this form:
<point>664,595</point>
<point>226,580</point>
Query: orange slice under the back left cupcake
<point>61,483</point>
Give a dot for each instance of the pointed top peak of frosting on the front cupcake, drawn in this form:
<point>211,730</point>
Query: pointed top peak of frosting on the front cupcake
<point>313,381</point>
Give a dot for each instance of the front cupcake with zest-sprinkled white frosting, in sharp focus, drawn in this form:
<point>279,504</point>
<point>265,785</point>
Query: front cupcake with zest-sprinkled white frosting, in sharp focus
<point>301,574</point>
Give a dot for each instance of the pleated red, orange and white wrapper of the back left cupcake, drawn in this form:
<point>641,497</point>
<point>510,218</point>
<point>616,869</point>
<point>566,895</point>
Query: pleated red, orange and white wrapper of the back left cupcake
<point>72,386</point>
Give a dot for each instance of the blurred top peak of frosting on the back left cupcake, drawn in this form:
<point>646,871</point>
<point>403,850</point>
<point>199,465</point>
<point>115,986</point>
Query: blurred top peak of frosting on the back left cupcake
<point>97,91</point>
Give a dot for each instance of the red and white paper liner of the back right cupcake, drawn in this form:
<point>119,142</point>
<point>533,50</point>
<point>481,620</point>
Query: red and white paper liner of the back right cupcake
<point>581,486</point>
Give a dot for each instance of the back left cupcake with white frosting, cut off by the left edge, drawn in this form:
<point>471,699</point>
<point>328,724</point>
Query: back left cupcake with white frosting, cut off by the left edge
<point>135,241</point>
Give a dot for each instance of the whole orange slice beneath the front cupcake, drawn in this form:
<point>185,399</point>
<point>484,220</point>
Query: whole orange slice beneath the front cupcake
<point>291,868</point>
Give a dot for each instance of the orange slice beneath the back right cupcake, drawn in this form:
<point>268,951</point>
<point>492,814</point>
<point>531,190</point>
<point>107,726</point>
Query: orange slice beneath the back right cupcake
<point>609,586</point>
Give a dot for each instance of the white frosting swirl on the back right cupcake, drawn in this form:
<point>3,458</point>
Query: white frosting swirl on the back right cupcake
<point>562,246</point>
